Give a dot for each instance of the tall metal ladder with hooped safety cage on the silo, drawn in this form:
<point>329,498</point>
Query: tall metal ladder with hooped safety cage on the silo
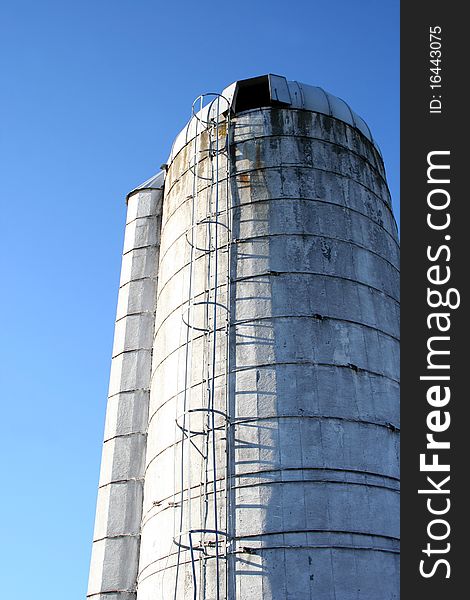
<point>209,540</point>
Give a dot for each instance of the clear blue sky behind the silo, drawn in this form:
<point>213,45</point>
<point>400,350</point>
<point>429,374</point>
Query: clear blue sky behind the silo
<point>93,94</point>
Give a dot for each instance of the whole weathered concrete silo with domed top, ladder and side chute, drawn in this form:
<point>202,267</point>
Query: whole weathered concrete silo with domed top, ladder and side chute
<point>251,446</point>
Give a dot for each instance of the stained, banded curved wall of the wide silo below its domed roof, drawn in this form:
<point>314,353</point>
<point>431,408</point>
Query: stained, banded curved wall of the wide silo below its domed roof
<point>313,470</point>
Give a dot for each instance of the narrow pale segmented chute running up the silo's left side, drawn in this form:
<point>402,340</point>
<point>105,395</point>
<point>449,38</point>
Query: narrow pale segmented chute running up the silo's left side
<point>116,539</point>
